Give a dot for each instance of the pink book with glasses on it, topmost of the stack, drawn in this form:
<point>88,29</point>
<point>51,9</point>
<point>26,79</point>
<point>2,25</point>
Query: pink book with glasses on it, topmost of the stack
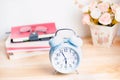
<point>23,33</point>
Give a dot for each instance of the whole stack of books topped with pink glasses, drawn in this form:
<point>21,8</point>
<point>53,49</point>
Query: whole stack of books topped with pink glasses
<point>24,41</point>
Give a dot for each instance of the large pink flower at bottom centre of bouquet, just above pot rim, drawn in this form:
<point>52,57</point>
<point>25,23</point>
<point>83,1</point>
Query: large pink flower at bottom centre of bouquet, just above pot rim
<point>105,19</point>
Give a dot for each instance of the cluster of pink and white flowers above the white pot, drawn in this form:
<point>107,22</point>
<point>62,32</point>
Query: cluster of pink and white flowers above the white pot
<point>101,12</point>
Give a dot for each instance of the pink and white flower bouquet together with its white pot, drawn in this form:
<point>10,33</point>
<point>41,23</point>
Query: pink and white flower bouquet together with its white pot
<point>103,17</point>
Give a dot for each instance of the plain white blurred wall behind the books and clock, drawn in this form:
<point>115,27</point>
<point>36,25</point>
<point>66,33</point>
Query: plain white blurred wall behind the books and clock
<point>23,12</point>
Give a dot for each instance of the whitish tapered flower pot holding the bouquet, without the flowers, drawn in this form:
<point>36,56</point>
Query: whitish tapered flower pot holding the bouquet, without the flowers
<point>103,36</point>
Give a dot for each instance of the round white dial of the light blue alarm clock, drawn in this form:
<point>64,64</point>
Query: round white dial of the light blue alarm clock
<point>65,59</point>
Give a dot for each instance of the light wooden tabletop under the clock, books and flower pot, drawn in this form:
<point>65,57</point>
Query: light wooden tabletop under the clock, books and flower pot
<point>97,64</point>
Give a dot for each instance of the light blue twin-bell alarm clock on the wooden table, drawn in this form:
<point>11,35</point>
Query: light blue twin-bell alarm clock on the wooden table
<point>65,52</point>
